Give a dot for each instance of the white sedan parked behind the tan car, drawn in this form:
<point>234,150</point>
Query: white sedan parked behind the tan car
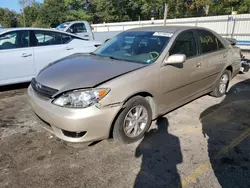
<point>25,51</point>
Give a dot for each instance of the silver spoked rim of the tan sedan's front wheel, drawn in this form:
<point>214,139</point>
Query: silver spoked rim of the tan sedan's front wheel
<point>135,121</point>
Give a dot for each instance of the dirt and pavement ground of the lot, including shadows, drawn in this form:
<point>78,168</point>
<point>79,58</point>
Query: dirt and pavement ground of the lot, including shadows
<point>203,144</point>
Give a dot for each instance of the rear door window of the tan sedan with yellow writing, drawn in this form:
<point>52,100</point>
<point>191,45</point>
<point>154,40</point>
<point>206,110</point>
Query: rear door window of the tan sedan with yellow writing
<point>208,42</point>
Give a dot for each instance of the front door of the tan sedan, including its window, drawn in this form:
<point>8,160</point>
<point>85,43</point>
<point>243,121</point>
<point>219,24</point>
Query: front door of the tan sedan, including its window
<point>179,82</point>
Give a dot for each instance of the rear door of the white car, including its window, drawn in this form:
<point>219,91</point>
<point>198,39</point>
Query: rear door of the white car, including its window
<point>49,46</point>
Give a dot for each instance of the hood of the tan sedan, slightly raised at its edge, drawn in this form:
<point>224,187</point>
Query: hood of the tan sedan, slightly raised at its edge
<point>83,71</point>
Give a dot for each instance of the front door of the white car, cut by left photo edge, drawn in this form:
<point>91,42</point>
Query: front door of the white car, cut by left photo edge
<point>16,57</point>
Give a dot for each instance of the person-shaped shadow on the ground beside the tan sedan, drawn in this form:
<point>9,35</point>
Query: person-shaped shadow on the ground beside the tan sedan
<point>160,152</point>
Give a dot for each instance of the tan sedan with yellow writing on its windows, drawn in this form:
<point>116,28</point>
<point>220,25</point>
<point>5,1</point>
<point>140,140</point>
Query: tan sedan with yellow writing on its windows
<point>129,81</point>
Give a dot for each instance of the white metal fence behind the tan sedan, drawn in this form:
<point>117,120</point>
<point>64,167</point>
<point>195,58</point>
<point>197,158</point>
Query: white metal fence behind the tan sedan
<point>233,26</point>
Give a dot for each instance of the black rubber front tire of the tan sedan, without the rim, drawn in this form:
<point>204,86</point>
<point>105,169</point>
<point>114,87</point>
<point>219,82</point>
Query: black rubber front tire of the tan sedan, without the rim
<point>118,131</point>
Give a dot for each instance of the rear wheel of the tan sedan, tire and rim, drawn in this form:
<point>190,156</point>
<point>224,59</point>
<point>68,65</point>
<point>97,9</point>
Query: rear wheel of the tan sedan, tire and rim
<point>222,85</point>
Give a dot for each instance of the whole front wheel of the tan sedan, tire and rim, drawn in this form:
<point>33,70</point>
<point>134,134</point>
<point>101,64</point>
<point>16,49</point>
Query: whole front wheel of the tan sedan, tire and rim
<point>134,120</point>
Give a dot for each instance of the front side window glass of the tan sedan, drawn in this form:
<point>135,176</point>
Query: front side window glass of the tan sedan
<point>185,44</point>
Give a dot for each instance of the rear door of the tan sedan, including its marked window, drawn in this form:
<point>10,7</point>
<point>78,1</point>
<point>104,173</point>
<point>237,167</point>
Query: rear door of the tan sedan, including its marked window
<point>214,56</point>
